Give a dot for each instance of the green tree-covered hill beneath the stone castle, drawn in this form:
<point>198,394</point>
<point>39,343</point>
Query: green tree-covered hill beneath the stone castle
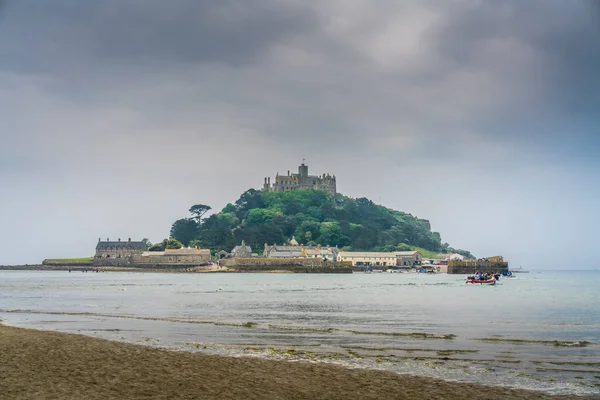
<point>312,217</point>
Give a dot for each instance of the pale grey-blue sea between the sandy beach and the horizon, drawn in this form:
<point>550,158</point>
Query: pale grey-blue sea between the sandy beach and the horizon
<point>539,330</point>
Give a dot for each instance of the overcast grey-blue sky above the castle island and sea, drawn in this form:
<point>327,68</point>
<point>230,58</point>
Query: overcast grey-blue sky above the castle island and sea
<point>480,116</point>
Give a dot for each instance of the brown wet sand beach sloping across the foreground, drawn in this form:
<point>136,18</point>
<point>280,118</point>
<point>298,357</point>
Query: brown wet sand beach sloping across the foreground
<point>50,365</point>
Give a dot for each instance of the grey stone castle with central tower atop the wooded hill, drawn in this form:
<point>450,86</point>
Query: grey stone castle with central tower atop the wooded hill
<point>301,180</point>
